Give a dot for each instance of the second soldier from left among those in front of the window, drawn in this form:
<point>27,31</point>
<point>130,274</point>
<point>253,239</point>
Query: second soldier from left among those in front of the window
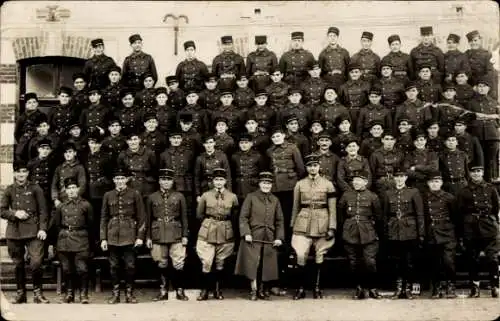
<point>63,114</point>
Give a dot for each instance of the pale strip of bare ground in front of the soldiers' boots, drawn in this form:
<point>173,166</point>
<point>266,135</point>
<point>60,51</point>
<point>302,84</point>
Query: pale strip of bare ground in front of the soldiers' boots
<point>336,306</point>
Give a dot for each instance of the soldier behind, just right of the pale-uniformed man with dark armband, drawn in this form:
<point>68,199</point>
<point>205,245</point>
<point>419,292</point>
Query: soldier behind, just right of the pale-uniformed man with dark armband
<point>349,165</point>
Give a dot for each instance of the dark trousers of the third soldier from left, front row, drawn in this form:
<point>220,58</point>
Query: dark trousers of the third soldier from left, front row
<point>116,255</point>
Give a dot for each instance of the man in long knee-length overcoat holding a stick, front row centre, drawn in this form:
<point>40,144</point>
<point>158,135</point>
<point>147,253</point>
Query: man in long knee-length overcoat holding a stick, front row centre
<point>261,224</point>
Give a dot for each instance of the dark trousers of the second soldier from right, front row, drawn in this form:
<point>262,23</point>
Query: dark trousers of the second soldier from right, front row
<point>442,260</point>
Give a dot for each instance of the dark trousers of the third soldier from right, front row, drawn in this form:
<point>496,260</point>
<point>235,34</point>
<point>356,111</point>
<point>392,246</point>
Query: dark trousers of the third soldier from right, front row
<point>404,254</point>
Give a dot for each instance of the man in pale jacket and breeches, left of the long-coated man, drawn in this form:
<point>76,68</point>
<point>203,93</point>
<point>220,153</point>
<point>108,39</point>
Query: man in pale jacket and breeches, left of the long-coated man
<point>217,209</point>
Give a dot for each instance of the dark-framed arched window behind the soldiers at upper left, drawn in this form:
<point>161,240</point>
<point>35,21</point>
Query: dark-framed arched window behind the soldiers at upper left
<point>44,76</point>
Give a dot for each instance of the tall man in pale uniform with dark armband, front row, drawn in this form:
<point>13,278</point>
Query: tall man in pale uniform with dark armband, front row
<point>314,221</point>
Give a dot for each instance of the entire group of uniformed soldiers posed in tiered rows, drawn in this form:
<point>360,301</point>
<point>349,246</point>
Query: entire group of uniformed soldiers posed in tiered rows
<point>260,155</point>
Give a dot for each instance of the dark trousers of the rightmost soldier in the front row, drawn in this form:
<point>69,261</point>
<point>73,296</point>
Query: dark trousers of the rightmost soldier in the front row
<point>473,248</point>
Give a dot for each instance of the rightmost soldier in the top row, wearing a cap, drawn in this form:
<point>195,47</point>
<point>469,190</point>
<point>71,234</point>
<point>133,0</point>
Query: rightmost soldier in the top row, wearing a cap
<point>481,62</point>
